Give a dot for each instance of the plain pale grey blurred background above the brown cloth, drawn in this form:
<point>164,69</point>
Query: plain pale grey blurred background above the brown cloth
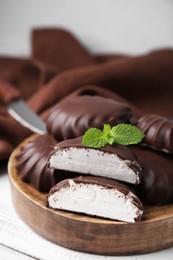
<point>107,26</point>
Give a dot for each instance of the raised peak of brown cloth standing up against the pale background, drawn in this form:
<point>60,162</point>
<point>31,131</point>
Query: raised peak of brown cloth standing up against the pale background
<point>59,48</point>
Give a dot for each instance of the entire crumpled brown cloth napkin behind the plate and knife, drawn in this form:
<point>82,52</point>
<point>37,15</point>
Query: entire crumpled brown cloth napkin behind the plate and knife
<point>59,65</point>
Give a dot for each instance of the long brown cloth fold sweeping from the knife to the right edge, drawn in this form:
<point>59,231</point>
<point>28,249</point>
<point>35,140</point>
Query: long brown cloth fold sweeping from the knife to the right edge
<point>142,80</point>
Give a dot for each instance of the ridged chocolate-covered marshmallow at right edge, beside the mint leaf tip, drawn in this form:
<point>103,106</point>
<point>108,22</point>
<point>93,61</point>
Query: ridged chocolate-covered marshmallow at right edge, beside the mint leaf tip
<point>158,132</point>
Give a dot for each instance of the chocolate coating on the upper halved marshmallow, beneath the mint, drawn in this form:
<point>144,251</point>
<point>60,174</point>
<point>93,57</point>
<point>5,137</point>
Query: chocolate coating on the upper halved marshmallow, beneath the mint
<point>121,151</point>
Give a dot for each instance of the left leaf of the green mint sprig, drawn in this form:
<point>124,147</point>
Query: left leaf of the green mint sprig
<point>95,138</point>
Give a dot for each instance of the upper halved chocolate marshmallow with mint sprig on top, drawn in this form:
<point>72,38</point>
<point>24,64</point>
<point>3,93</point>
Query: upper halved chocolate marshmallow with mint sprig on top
<point>112,161</point>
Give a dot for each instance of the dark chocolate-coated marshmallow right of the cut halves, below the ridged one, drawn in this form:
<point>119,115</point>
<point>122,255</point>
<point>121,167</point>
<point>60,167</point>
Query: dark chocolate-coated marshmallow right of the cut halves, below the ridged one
<point>156,186</point>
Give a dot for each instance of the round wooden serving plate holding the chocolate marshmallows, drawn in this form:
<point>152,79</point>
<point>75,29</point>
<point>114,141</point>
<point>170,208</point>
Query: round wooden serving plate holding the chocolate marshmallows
<point>90,234</point>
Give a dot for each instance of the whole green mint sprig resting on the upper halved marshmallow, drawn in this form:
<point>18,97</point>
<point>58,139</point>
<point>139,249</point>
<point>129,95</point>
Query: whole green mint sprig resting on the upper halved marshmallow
<point>124,134</point>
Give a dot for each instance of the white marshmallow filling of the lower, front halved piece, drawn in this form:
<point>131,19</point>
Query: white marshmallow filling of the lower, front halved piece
<point>96,200</point>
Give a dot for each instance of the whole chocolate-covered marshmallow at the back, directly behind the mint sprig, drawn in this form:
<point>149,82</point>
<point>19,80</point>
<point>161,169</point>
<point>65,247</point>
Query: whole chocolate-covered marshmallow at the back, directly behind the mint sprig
<point>72,117</point>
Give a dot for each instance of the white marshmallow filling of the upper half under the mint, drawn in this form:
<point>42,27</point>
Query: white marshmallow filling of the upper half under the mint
<point>94,162</point>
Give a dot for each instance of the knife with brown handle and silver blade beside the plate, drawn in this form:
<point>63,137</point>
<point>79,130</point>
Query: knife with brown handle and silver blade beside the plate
<point>18,108</point>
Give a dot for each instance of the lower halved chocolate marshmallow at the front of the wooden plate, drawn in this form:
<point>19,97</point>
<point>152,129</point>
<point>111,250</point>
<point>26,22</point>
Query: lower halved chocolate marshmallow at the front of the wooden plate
<point>101,197</point>
